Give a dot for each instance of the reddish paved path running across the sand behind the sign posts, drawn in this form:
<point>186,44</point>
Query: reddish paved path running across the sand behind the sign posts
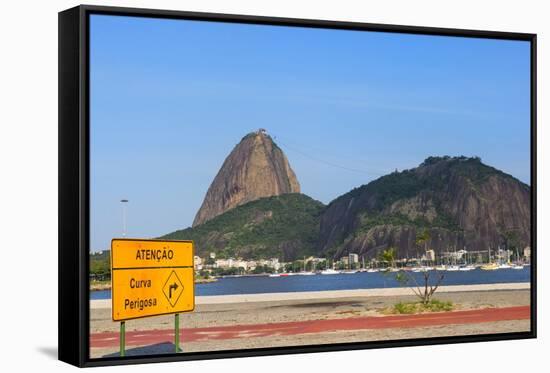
<point>148,337</point>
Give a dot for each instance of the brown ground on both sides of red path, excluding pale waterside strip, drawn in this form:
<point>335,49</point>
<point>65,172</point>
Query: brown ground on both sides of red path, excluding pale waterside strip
<point>208,315</point>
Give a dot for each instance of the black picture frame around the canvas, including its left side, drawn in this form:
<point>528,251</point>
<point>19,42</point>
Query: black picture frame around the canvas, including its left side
<point>74,189</point>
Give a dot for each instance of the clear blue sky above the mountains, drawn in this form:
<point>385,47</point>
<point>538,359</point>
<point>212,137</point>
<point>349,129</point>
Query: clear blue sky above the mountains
<point>171,98</point>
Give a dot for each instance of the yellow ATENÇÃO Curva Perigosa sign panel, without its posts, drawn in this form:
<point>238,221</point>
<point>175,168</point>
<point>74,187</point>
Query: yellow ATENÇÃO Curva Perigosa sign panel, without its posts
<point>151,277</point>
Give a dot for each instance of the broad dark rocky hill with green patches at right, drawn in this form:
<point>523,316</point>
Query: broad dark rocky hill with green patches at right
<point>460,201</point>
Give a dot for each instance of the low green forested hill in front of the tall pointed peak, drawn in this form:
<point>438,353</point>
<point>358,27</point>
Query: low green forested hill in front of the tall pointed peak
<point>285,227</point>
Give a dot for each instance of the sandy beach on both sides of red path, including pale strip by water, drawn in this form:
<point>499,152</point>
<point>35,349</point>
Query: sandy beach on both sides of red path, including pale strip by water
<point>231,310</point>
